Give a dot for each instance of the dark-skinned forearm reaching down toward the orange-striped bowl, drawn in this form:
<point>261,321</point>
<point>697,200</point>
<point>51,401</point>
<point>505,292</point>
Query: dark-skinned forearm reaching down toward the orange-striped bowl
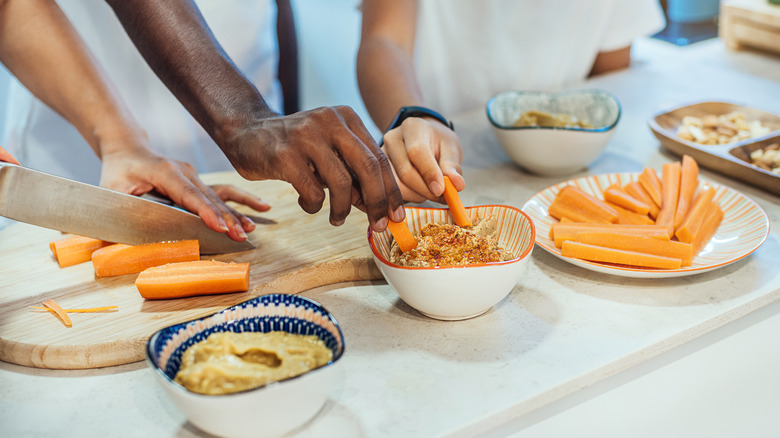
<point>178,45</point>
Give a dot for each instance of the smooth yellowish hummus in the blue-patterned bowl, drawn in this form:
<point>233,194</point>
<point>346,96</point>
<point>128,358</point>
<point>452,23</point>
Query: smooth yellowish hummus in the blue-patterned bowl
<point>232,362</point>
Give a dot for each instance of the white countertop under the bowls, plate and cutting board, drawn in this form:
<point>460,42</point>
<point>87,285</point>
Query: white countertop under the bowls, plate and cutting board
<point>568,353</point>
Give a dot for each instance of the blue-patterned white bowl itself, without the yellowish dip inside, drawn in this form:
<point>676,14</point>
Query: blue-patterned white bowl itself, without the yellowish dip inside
<point>270,410</point>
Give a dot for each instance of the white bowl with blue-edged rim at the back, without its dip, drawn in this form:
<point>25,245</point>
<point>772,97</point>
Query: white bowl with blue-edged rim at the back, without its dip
<point>554,151</point>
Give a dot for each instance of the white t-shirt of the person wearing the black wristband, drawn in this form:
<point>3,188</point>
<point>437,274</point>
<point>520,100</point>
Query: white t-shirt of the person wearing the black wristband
<point>468,50</point>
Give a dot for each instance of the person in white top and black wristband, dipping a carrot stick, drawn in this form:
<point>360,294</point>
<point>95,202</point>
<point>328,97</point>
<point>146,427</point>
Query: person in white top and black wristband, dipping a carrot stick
<point>449,56</point>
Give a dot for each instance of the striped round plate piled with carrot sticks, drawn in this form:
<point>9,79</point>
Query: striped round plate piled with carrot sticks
<point>647,225</point>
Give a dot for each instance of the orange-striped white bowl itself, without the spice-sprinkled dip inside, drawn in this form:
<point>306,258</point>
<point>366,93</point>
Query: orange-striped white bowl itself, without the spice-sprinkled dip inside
<point>458,292</point>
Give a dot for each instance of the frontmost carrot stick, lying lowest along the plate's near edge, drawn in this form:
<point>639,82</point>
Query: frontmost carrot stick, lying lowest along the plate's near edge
<point>610,255</point>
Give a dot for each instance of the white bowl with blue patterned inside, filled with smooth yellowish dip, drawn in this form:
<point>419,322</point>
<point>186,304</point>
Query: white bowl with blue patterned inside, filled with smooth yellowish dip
<point>258,369</point>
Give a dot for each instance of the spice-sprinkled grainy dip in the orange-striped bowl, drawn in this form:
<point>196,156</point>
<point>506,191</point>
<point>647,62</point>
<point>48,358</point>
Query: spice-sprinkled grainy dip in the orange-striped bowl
<point>451,245</point>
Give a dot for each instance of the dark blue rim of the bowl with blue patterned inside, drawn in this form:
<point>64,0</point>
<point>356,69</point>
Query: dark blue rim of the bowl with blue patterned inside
<point>178,387</point>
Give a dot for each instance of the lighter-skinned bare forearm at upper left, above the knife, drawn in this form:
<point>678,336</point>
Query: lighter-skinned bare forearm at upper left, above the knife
<point>41,48</point>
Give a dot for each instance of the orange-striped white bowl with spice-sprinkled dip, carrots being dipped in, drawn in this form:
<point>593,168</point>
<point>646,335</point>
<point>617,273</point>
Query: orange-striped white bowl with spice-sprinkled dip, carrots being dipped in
<point>457,273</point>
